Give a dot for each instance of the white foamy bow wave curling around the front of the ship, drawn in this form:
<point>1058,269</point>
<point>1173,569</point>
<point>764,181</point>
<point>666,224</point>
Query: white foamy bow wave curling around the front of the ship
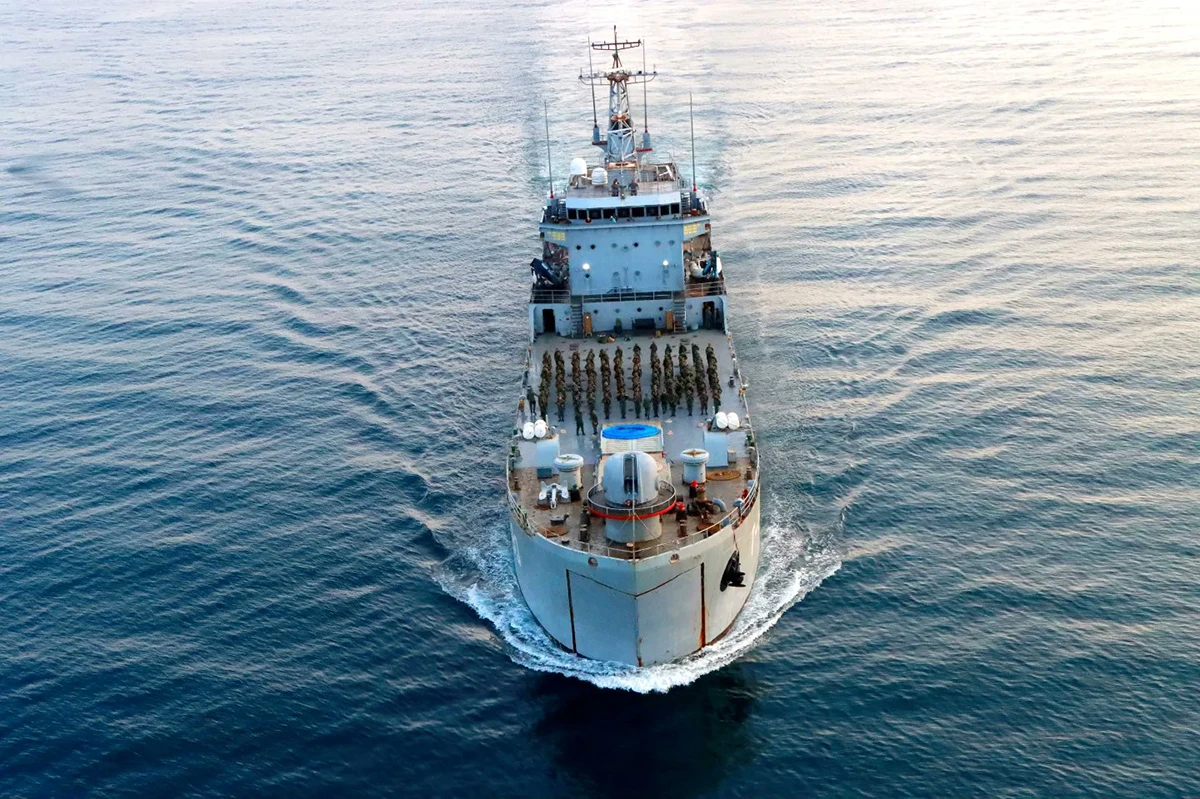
<point>793,564</point>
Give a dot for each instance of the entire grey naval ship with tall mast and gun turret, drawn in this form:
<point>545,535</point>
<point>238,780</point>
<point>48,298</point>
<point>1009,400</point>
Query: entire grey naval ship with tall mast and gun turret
<point>633,473</point>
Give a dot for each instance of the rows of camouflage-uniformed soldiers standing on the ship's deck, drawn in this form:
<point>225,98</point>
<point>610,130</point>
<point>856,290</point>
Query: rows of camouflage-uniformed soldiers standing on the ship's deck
<point>670,388</point>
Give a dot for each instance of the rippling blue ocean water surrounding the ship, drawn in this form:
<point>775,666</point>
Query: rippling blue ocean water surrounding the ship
<point>261,325</point>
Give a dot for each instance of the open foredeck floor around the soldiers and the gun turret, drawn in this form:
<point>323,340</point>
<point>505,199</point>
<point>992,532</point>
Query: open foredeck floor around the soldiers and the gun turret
<point>567,524</point>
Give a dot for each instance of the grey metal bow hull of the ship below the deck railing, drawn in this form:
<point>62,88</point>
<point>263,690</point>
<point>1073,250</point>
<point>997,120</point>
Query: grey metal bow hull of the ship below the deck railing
<point>638,612</point>
